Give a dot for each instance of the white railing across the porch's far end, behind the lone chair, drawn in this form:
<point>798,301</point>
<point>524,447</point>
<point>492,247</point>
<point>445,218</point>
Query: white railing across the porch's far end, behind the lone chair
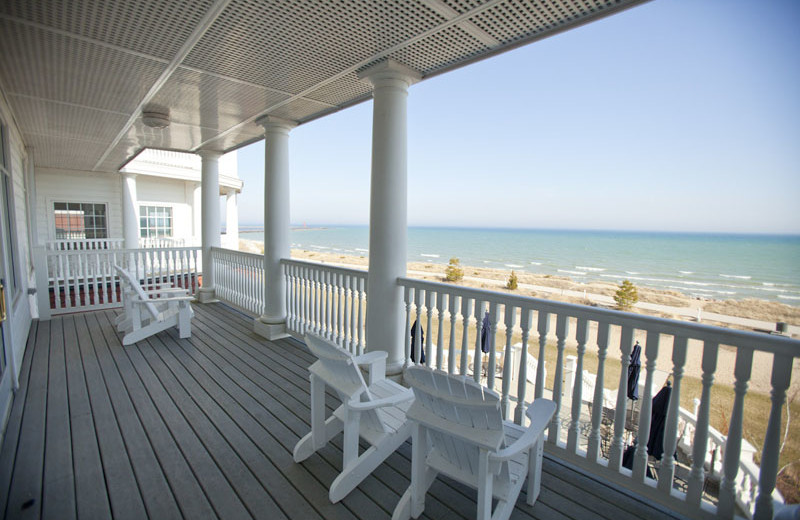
<point>84,279</point>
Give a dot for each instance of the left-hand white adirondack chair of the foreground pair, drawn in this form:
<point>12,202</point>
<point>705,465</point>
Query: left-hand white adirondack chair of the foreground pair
<point>374,412</point>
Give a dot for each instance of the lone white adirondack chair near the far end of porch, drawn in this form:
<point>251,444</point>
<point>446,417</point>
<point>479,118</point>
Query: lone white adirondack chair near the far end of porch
<point>145,314</point>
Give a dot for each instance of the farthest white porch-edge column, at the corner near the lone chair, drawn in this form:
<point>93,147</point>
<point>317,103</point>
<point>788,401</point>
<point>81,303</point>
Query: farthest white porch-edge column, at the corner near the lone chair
<point>210,218</point>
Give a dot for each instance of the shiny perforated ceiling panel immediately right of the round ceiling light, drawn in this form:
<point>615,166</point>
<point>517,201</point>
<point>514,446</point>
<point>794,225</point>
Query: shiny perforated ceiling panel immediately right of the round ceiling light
<point>212,102</point>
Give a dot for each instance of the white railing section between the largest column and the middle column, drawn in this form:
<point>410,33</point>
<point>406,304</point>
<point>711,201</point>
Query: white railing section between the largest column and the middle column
<point>327,300</point>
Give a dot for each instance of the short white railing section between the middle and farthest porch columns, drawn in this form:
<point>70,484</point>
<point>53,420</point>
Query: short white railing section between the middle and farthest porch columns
<point>239,279</point>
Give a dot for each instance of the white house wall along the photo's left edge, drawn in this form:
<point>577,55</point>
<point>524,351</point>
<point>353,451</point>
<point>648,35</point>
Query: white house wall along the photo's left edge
<point>19,315</point>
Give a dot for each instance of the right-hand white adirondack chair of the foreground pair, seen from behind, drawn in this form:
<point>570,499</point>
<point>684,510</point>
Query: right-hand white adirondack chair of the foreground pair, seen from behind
<point>459,431</point>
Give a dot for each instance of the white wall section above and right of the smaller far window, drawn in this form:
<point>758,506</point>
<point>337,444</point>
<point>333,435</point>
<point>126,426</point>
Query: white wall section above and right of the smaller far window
<point>157,191</point>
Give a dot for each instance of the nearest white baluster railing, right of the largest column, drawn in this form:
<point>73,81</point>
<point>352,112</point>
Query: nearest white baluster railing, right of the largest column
<point>456,309</point>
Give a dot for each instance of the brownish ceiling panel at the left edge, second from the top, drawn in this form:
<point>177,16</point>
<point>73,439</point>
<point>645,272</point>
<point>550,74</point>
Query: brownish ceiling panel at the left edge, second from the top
<point>43,64</point>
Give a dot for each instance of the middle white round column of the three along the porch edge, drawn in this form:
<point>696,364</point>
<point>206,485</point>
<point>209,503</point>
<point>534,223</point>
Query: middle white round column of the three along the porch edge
<point>272,323</point>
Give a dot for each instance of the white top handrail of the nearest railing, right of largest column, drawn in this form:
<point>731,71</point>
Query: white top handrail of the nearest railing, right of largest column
<point>755,341</point>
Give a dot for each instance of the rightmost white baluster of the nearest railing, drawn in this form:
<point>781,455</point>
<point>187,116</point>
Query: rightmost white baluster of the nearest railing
<point>781,376</point>
